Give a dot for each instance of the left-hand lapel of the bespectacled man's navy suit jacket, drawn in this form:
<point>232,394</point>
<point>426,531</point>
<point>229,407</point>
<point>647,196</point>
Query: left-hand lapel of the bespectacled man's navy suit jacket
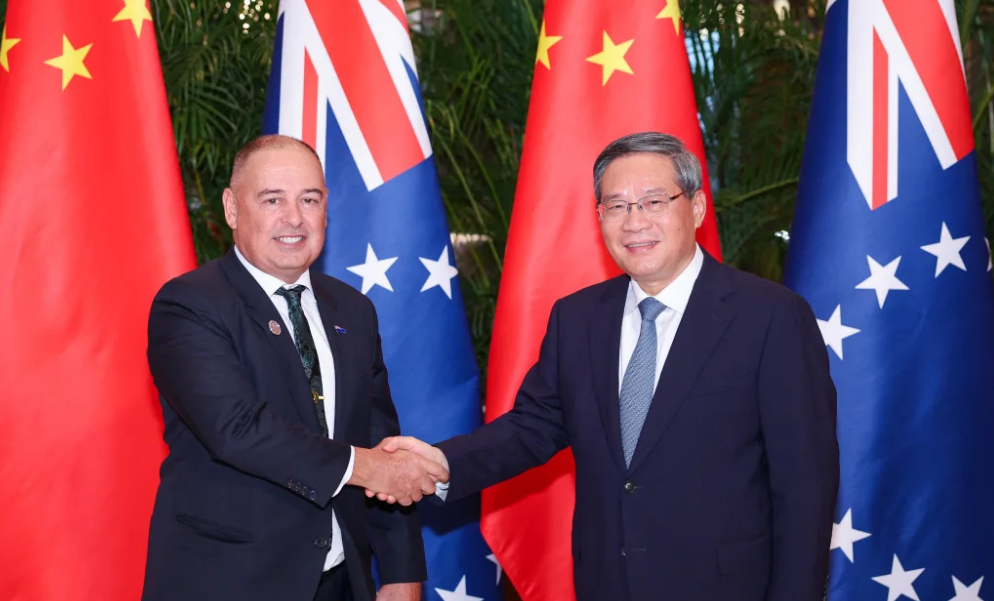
<point>605,345</point>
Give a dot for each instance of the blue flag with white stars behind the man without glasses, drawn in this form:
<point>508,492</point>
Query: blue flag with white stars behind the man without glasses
<point>344,80</point>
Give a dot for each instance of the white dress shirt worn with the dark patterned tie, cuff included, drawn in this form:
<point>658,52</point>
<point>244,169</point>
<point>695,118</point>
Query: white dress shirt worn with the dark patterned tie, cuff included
<point>326,361</point>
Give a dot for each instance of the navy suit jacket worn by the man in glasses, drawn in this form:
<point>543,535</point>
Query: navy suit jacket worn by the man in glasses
<point>730,495</point>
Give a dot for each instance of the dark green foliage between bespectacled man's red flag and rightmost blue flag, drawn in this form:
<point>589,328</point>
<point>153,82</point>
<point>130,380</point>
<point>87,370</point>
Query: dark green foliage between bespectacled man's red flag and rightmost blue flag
<point>753,95</point>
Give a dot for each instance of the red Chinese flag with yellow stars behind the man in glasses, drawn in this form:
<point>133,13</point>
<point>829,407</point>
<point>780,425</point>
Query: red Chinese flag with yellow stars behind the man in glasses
<point>604,69</point>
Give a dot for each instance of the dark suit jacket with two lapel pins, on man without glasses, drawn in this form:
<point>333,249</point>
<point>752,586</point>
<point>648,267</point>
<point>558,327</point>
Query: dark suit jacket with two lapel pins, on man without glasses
<point>244,508</point>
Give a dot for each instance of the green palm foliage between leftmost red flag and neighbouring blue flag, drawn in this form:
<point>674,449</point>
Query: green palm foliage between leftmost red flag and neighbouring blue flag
<point>216,72</point>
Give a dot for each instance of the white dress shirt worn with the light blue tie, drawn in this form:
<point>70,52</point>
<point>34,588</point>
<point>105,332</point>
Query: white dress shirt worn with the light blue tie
<point>675,298</point>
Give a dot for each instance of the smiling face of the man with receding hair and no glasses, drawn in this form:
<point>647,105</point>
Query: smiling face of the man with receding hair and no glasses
<point>277,210</point>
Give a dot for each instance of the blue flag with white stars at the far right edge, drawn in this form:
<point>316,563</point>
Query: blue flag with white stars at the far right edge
<point>888,247</point>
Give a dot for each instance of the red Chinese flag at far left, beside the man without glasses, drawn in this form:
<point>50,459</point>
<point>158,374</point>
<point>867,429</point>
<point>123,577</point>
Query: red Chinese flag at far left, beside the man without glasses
<point>94,221</point>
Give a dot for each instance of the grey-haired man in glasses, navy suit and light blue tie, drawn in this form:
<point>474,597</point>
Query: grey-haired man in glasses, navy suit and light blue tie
<point>697,401</point>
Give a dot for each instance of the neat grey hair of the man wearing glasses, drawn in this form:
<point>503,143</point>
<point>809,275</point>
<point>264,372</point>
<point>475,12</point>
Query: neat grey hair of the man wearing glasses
<point>688,169</point>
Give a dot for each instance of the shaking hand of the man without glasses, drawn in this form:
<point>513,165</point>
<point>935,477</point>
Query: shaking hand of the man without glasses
<point>402,476</point>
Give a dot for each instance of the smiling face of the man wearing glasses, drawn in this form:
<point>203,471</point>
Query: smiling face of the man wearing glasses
<point>652,248</point>
